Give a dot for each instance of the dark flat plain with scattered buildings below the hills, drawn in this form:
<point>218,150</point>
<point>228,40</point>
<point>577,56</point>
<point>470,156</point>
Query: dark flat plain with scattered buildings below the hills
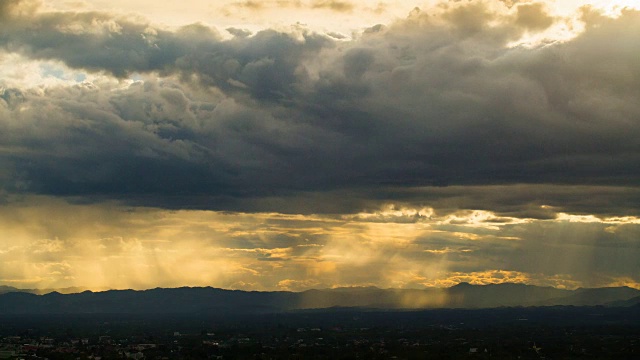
<point>504,333</point>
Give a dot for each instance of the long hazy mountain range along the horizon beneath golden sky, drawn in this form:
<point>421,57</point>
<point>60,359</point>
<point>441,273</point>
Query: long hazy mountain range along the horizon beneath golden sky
<point>209,300</point>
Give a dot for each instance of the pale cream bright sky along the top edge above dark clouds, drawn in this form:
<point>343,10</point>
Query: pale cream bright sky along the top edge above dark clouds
<point>331,16</point>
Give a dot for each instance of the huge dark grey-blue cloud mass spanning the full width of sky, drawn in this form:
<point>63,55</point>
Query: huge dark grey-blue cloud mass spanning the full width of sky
<point>438,103</point>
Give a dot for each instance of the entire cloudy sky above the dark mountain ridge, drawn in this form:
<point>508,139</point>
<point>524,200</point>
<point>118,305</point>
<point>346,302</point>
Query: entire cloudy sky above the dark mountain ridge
<point>298,144</point>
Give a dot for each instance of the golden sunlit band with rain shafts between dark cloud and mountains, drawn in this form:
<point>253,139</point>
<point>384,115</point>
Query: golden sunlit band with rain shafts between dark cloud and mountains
<point>145,248</point>
